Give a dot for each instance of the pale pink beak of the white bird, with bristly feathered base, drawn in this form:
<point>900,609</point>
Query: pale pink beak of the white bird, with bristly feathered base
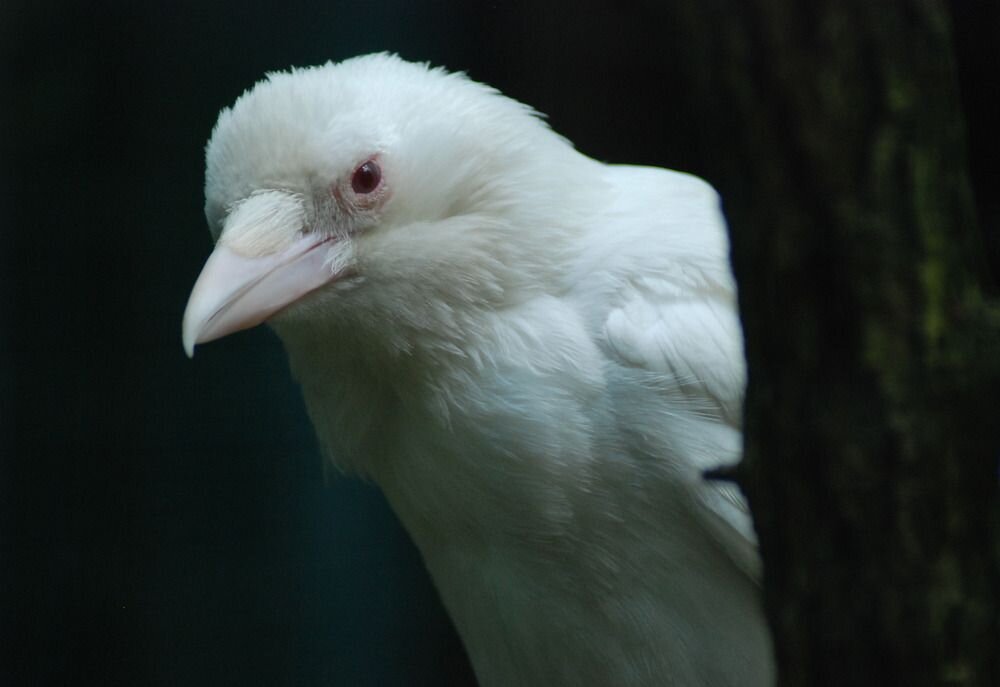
<point>238,289</point>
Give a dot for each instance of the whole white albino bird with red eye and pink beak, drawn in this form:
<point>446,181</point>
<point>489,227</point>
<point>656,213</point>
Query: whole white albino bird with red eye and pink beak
<point>535,355</point>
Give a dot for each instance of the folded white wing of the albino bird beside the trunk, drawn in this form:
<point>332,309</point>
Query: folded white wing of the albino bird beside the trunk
<point>675,323</point>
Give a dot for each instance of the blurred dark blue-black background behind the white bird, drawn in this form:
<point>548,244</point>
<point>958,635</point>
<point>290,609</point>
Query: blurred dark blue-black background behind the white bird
<point>170,522</point>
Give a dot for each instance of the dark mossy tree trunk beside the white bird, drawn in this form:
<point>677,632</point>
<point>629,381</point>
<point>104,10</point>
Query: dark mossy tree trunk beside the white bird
<point>872,428</point>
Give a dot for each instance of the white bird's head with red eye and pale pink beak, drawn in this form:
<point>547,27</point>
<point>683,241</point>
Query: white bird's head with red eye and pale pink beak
<point>376,192</point>
